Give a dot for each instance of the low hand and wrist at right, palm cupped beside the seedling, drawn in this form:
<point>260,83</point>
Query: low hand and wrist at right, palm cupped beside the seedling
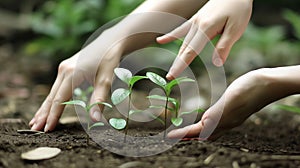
<point>245,96</point>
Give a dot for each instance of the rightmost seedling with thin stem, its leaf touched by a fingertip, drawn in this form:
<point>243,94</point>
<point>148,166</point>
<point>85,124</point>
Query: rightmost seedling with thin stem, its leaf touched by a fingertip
<point>167,88</point>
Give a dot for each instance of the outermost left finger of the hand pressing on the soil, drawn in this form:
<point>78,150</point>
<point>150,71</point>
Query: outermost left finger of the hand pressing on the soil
<point>39,119</point>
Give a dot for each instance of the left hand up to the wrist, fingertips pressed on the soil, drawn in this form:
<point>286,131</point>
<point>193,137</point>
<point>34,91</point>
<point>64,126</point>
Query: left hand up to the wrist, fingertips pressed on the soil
<point>90,64</point>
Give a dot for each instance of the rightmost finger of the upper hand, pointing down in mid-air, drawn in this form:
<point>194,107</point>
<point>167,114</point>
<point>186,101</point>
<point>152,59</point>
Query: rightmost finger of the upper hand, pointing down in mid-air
<point>223,47</point>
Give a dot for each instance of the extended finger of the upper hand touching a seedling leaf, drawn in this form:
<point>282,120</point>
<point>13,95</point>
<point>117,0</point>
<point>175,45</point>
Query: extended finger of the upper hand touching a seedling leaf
<point>188,54</point>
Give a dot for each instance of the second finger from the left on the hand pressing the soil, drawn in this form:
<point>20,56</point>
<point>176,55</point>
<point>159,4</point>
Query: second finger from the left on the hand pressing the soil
<point>64,93</point>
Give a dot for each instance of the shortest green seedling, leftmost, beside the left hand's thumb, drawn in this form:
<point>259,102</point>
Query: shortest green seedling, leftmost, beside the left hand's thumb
<point>87,109</point>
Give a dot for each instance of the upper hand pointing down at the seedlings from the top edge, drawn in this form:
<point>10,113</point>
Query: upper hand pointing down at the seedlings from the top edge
<point>229,18</point>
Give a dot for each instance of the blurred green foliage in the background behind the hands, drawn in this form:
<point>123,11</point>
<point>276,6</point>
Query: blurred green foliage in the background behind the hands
<point>64,25</point>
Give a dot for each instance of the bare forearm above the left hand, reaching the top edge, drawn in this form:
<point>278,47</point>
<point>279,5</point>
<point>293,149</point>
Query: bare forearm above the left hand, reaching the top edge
<point>152,18</point>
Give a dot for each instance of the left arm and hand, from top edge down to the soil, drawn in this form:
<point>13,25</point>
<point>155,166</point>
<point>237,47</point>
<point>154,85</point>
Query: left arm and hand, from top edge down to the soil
<point>98,59</point>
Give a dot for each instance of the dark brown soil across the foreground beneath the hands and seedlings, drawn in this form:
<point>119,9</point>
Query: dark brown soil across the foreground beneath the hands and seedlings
<point>271,143</point>
